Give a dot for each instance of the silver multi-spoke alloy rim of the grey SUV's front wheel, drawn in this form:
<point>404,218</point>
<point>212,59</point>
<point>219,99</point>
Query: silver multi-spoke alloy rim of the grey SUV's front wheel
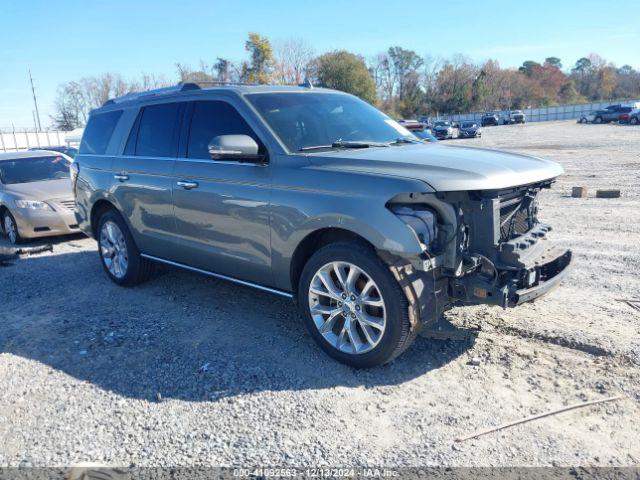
<point>347,307</point>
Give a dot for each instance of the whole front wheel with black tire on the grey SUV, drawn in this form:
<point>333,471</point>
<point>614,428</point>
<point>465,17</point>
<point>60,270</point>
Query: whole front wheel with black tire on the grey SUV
<point>353,306</point>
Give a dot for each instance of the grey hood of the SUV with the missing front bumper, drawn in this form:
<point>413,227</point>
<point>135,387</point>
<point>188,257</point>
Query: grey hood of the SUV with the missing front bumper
<point>445,168</point>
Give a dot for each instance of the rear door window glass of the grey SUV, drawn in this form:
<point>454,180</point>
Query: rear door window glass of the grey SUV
<point>157,130</point>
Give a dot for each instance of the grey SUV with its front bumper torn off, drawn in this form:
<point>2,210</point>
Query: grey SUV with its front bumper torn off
<point>314,195</point>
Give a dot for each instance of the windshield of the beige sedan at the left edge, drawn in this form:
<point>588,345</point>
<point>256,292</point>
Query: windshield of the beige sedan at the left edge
<point>34,169</point>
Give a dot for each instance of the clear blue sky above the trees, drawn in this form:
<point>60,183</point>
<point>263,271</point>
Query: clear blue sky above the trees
<point>64,40</point>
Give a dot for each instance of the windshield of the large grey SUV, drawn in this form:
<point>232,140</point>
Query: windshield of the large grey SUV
<point>330,120</point>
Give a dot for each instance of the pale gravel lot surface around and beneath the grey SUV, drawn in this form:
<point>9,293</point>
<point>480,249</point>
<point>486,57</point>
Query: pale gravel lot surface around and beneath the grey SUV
<point>187,370</point>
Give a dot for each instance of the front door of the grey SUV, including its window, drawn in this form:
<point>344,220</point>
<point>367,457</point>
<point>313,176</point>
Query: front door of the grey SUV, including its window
<point>222,215</point>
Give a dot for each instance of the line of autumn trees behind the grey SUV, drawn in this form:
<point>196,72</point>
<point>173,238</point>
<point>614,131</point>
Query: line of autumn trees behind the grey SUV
<point>399,81</point>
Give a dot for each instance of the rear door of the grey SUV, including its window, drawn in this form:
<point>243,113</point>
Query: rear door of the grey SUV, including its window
<point>144,177</point>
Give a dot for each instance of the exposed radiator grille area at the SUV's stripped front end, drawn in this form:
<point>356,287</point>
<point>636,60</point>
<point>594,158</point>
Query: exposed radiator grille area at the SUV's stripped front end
<point>518,212</point>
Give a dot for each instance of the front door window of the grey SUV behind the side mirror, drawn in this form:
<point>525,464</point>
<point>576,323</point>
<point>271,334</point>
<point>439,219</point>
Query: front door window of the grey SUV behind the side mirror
<point>211,119</point>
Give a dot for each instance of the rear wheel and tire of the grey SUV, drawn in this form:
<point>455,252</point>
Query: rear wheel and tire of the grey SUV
<point>118,252</point>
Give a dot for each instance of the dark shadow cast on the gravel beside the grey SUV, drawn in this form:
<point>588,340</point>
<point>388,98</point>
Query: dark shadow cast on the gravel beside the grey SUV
<point>179,336</point>
